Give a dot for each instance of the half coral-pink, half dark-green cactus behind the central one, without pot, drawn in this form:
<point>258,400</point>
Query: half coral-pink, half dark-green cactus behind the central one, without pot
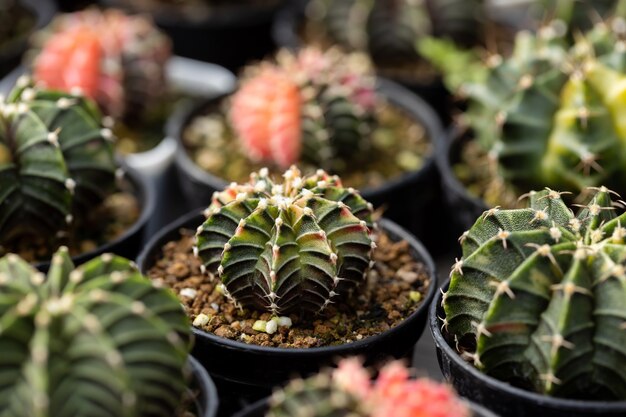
<point>316,106</point>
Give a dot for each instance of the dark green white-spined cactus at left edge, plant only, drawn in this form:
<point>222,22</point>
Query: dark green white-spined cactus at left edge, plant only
<point>56,160</point>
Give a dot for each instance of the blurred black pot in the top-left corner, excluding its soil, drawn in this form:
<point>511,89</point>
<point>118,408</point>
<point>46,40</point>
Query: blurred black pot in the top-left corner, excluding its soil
<point>11,54</point>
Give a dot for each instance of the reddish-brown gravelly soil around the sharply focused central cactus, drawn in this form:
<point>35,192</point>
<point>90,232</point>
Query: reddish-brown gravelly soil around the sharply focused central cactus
<point>395,287</point>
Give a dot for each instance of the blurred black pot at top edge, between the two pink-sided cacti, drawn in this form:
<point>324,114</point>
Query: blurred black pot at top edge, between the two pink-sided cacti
<point>227,32</point>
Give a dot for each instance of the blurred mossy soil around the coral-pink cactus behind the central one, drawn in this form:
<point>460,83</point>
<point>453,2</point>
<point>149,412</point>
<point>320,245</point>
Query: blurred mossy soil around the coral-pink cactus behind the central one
<point>399,145</point>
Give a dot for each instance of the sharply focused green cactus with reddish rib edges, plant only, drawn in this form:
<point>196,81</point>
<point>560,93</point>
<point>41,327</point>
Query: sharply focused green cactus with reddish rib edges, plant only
<point>298,246</point>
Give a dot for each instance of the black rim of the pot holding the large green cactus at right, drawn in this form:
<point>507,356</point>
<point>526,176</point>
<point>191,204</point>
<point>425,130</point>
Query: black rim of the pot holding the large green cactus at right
<point>495,384</point>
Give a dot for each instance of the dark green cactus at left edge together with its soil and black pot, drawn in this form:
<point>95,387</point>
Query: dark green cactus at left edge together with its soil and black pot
<point>60,183</point>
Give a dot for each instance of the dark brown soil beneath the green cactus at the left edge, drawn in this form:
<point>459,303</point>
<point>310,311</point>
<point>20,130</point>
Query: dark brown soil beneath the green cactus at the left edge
<point>116,214</point>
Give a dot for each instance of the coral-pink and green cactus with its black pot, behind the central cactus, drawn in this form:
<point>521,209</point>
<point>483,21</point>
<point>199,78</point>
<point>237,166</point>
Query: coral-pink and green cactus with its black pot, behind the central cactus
<point>316,109</point>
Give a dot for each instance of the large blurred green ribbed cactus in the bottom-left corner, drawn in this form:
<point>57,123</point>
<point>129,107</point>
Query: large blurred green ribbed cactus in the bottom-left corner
<point>97,340</point>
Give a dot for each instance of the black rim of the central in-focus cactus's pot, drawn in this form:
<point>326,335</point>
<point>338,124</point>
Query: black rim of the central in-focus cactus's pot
<point>159,239</point>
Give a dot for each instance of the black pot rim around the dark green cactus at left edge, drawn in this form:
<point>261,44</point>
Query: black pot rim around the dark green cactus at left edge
<point>145,192</point>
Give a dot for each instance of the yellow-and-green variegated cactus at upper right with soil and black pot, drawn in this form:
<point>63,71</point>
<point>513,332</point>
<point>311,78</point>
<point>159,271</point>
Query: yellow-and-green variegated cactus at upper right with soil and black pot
<point>548,115</point>
